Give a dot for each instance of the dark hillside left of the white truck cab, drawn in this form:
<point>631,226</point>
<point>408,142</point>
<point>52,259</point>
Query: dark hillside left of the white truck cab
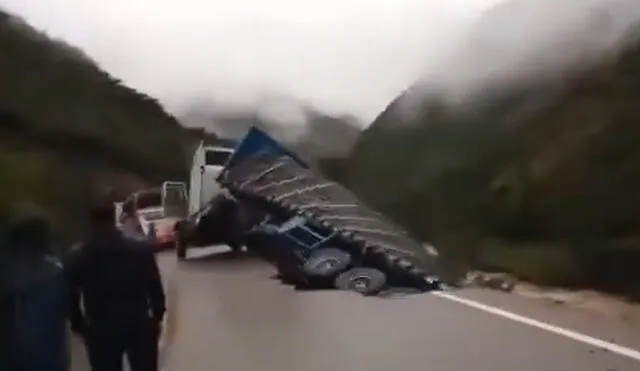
<point>68,129</point>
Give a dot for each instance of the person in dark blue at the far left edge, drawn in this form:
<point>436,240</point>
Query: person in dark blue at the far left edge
<point>33,299</point>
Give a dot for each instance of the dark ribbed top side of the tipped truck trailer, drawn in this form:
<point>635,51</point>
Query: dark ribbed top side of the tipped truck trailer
<point>284,181</point>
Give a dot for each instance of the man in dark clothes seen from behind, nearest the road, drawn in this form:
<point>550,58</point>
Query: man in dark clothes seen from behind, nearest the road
<point>122,294</point>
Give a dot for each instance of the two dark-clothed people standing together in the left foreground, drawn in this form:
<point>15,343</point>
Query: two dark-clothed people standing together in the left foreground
<point>108,292</point>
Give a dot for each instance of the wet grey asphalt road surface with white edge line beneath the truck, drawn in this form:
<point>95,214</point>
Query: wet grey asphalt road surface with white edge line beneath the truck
<point>227,314</point>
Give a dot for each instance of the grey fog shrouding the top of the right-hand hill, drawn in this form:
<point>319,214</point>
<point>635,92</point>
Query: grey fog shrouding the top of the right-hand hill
<point>528,42</point>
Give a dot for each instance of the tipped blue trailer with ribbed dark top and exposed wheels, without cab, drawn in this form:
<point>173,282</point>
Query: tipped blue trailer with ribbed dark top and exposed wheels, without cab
<point>314,231</point>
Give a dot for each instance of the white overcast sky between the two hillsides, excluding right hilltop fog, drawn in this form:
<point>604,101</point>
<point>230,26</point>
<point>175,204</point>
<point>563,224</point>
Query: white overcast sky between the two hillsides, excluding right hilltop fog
<point>345,56</point>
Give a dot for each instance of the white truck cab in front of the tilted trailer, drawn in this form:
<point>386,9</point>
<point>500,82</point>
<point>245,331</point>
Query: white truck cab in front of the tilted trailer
<point>208,162</point>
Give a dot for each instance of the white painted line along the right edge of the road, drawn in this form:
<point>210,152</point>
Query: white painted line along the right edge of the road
<point>586,339</point>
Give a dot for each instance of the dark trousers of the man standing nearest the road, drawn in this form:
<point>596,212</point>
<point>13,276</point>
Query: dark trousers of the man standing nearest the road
<point>139,342</point>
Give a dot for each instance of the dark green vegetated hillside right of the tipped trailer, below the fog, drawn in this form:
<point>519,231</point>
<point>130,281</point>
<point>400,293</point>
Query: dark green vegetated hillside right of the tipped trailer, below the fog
<point>541,181</point>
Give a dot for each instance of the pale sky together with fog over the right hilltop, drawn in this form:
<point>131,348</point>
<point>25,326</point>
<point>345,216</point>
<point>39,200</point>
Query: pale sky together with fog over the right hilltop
<point>341,56</point>
